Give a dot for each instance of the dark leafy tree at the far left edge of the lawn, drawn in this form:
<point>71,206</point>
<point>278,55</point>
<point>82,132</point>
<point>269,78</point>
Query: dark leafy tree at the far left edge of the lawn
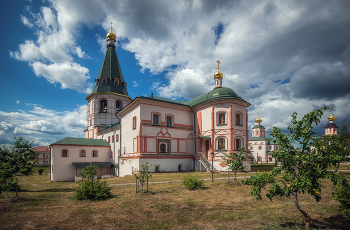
<point>17,157</point>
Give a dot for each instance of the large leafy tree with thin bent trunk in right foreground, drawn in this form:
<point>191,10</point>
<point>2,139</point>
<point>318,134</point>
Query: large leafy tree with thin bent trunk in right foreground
<point>302,166</point>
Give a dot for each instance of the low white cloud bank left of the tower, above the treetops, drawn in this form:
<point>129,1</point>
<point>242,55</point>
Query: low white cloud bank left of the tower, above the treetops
<point>47,126</point>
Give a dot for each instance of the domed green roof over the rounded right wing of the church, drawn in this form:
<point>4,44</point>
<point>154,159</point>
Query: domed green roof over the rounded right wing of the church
<point>216,93</point>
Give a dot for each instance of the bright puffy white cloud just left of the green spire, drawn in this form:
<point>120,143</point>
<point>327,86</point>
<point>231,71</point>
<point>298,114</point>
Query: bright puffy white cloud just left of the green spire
<point>69,75</point>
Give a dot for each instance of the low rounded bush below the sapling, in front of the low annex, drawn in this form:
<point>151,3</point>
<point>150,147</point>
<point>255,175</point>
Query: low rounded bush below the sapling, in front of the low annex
<point>93,191</point>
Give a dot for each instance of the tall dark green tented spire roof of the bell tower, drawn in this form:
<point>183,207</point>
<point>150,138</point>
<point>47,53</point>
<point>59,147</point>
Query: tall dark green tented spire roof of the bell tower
<point>110,68</point>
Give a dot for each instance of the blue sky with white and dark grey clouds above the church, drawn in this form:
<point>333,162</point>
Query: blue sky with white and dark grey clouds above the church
<point>281,56</point>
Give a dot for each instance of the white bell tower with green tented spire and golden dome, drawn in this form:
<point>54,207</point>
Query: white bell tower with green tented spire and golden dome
<point>110,94</point>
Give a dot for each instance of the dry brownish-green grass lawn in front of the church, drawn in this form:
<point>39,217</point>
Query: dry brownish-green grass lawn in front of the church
<point>221,205</point>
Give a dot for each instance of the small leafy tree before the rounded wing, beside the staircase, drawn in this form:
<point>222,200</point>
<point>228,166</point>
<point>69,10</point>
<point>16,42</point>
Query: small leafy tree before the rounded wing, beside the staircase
<point>235,161</point>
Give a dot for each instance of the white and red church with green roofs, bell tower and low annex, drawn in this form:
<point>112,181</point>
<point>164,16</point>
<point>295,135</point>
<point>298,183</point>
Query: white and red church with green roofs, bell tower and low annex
<point>124,133</point>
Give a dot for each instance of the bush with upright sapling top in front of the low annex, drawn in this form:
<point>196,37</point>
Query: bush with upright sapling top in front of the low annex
<point>91,189</point>
